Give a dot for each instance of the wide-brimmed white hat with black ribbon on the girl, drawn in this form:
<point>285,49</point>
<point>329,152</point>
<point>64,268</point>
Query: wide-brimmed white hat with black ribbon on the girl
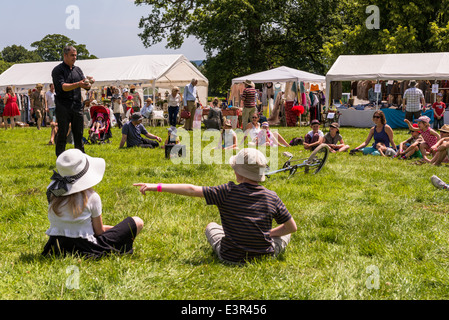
<point>76,172</point>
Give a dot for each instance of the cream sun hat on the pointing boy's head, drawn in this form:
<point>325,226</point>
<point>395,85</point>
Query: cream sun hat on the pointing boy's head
<point>249,163</point>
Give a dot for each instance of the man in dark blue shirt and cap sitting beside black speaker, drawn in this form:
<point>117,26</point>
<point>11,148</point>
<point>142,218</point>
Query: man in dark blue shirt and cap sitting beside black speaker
<point>132,131</point>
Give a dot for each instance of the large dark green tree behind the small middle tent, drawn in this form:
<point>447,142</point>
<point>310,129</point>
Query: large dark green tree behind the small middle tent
<point>242,36</point>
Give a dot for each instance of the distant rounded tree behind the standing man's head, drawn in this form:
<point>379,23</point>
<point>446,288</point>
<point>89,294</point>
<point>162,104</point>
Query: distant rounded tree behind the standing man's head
<point>51,48</point>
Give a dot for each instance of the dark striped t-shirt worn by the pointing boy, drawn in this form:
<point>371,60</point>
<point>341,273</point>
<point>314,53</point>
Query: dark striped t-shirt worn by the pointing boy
<point>247,212</point>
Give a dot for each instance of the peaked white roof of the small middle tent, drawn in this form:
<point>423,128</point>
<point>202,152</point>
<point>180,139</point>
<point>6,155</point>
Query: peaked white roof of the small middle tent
<point>281,74</point>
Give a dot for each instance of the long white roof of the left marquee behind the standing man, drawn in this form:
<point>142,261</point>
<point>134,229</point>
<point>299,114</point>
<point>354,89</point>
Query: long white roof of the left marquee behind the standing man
<point>165,70</point>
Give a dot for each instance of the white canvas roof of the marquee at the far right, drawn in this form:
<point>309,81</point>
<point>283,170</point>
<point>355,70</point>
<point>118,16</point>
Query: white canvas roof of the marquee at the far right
<point>403,66</point>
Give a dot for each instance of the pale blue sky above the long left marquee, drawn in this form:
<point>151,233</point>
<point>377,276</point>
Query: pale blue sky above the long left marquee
<point>108,28</point>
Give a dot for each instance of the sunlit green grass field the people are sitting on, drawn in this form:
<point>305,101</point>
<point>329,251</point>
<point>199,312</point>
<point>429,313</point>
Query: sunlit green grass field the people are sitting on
<point>361,219</point>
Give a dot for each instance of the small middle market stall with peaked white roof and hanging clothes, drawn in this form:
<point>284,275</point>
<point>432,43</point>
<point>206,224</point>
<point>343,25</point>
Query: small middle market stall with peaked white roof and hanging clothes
<point>282,89</point>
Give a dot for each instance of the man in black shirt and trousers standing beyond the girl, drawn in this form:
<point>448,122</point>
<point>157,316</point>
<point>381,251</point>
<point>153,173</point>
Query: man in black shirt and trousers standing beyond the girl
<point>68,80</point>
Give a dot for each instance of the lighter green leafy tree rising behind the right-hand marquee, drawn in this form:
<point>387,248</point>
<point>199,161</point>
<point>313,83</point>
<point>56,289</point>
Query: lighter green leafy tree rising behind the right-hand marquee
<point>405,27</point>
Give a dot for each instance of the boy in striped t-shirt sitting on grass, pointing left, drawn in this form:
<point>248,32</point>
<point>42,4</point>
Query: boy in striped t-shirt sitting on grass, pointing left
<point>247,210</point>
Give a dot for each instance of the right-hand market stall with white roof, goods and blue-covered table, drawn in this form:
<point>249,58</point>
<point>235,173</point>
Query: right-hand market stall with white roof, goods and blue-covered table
<point>379,81</point>
